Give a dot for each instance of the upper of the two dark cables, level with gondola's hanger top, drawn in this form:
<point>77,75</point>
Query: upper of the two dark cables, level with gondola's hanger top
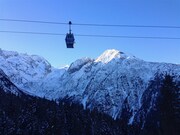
<point>88,24</point>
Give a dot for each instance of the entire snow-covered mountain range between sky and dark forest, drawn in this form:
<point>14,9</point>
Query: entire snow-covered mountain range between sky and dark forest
<point>105,83</point>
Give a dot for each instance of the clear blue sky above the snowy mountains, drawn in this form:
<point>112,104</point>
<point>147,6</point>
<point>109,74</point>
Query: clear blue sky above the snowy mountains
<point>128,12</point>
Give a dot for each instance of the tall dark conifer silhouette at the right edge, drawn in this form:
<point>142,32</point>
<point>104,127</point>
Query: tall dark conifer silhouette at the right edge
<point>169,106</point>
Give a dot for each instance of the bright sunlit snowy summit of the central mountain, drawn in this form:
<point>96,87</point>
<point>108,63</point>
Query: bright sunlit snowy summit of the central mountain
<point>111,54</point>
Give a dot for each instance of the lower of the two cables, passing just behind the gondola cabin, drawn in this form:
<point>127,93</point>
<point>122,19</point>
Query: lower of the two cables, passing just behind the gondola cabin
<point>84,35</point>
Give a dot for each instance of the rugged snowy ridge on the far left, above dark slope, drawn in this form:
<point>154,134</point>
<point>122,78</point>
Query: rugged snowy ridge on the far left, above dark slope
<point>23,68</point>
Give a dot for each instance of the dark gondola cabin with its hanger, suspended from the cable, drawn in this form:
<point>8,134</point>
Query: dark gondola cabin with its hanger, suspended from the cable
<point>70,38</point>
